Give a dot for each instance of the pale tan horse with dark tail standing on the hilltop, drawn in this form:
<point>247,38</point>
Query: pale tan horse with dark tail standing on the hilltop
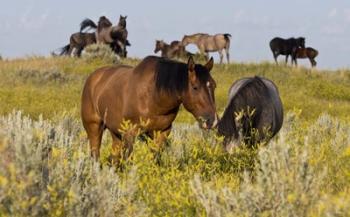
<point>210,43</point>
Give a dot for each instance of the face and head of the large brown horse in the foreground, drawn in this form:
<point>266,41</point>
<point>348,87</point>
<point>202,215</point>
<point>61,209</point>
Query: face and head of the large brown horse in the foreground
<point>199,97</point>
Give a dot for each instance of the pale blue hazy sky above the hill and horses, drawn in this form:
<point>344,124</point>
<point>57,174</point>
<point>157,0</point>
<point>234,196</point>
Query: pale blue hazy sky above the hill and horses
<point>40,26</point>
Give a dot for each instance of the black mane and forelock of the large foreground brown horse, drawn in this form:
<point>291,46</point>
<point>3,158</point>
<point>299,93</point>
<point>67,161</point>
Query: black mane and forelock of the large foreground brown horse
<point>172,76</point>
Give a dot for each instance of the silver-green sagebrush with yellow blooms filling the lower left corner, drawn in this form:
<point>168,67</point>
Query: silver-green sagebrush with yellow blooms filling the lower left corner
<point>45,170</point>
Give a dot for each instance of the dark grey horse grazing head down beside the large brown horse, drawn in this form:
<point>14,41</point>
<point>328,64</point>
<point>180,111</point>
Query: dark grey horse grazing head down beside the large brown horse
<point>254,113</point>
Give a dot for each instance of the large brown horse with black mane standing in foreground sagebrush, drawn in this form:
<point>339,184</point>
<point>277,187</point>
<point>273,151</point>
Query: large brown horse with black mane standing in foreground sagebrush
<point>151,92</point>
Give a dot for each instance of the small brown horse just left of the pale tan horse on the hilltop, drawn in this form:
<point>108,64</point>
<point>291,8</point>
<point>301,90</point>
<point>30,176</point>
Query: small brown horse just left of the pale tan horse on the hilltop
<point>175,49</point>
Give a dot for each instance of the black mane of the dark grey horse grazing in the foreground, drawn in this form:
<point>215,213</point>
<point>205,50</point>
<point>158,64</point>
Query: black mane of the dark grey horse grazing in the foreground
<point>227,125</point>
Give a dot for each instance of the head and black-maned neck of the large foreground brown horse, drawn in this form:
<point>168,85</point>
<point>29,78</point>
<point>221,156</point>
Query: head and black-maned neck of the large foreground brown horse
<point>193,85</point>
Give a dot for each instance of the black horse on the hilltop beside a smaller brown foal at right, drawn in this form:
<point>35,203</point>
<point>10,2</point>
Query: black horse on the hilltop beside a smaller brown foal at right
<point>280,46</point>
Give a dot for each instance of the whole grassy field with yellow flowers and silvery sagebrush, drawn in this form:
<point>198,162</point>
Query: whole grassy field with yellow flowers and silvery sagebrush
<point>45,168</point>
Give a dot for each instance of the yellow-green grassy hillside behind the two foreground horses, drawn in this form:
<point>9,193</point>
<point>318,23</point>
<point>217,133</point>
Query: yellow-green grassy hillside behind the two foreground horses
<point>48,86</point>
